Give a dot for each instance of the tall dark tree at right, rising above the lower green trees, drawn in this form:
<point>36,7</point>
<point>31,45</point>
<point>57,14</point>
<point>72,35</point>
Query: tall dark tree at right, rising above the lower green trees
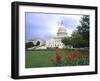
<point>83,29</point>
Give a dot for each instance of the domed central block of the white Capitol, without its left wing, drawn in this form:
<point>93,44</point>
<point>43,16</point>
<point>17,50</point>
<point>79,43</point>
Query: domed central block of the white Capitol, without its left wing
<point>55,42</point>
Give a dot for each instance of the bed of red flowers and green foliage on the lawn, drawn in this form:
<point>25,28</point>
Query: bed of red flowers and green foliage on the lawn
<point>64,58</point>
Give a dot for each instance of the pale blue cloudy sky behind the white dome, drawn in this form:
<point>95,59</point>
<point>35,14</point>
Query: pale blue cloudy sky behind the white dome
<point>43,26</point>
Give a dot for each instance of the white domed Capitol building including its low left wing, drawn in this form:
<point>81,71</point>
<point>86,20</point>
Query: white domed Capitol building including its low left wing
<point>54,42</point>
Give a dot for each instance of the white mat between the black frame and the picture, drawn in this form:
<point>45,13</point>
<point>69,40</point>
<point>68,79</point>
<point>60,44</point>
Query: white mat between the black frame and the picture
<point>53,70</point>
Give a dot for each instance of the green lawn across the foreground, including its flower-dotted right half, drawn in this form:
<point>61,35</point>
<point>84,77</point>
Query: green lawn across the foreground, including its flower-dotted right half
<point>41,58</point>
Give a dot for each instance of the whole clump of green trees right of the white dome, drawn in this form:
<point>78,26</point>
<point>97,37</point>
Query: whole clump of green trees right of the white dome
<point>79,37</point>
